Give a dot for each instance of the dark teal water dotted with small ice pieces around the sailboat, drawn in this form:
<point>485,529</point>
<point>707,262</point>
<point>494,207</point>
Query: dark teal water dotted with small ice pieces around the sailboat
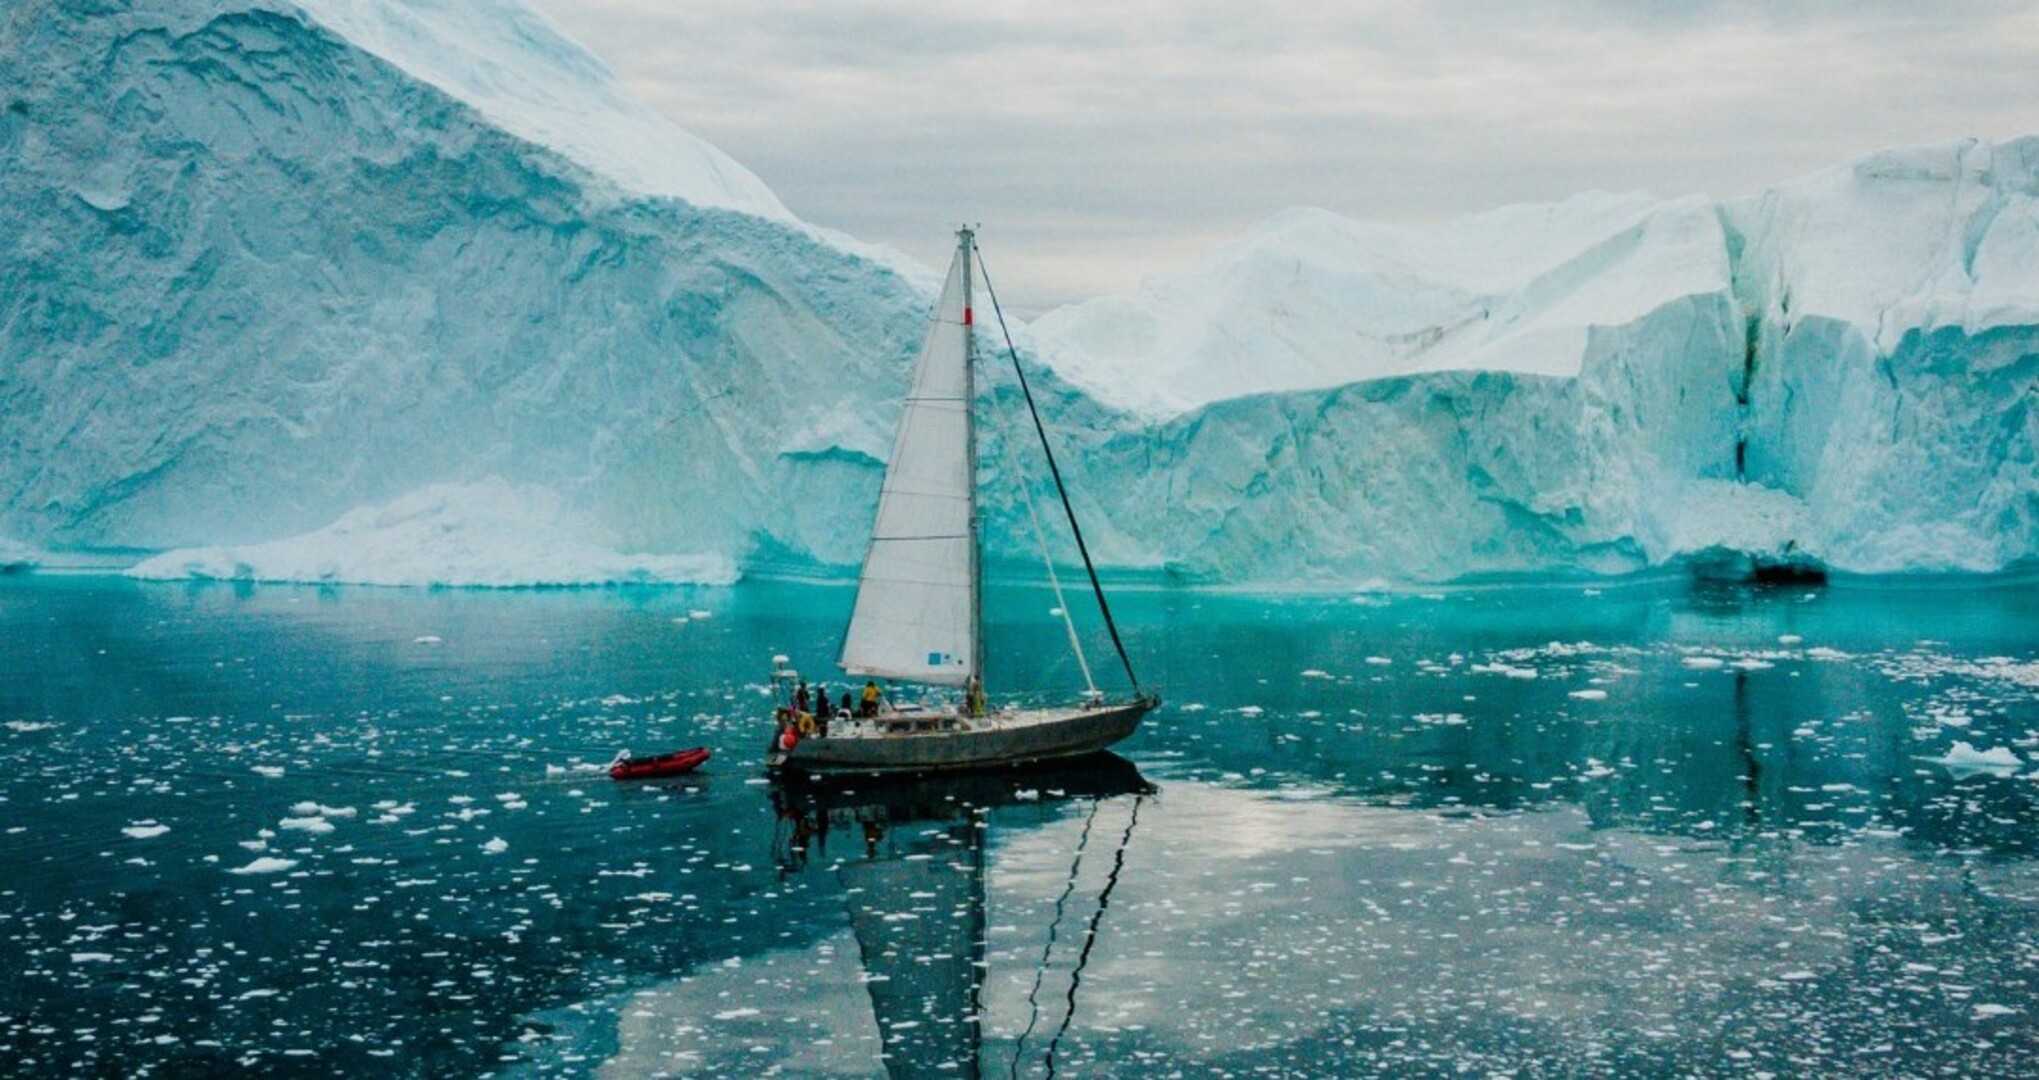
<point>1545,832</point>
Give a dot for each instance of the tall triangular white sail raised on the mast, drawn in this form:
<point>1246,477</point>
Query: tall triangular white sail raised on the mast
<point>917,600</point>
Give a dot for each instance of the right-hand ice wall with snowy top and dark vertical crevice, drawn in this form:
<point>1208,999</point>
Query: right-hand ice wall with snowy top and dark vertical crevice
<point>1838,374</point>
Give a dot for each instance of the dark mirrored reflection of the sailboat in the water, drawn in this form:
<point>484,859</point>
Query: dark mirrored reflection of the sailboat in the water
<point>917,898</point>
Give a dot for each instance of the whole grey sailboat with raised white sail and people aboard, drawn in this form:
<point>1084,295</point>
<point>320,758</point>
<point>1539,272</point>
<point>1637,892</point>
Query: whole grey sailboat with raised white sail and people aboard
<point>919,614</point>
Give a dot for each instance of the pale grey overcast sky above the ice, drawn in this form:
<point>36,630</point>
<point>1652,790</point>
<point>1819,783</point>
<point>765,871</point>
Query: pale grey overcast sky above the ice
<point>1100,142</point>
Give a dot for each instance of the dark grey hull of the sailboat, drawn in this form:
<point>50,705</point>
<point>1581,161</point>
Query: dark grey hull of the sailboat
<point>965,745</point>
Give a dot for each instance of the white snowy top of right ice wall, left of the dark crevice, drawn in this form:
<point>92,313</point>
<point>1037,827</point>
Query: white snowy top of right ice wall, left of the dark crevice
<point>1312,301</point>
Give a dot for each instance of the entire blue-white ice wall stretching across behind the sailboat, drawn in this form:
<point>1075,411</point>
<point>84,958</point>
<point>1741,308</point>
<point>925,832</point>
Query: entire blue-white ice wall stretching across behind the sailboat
<point>356,290</point>
